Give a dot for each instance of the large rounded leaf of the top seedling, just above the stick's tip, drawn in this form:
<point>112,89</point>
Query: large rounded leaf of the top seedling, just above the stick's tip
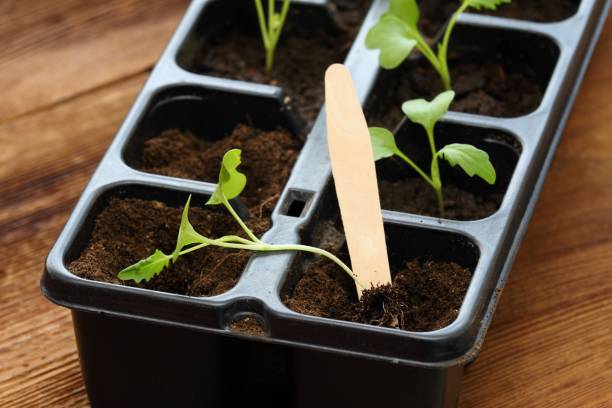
<point>394,38</point>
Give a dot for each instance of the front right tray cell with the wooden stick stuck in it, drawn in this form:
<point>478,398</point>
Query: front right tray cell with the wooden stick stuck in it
<point>432,270</point>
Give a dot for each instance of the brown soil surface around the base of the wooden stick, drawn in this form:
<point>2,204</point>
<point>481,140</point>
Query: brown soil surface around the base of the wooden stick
<point>425,295</point>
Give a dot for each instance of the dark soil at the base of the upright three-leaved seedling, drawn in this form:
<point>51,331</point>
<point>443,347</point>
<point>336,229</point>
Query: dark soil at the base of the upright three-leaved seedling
<point>413,195</point>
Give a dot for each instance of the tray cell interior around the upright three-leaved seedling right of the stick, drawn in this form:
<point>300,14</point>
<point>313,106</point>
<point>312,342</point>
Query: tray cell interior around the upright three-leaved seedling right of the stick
<point>465,198</point>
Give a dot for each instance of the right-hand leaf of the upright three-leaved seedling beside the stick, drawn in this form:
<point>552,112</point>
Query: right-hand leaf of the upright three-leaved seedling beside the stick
<point>471,159</point>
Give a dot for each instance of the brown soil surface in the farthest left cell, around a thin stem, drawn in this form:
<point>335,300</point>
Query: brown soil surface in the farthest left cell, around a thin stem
<point>302,56</point>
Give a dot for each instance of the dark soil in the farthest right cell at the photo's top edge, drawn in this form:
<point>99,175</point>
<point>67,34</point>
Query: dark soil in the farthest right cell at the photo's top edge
<point>436,13</point>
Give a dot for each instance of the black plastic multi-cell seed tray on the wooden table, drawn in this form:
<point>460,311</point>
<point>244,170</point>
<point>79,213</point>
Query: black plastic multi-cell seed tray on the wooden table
<point>186,354</point>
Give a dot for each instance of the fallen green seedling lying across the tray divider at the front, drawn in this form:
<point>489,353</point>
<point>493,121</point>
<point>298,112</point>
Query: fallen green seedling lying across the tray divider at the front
<point>231,184</point>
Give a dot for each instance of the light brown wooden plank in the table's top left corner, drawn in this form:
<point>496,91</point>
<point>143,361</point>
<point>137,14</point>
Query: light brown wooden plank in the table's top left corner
<point>54,50</point>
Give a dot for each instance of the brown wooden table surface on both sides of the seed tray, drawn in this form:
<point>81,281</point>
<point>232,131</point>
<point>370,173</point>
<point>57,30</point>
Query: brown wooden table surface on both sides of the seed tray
<point>69,71</point>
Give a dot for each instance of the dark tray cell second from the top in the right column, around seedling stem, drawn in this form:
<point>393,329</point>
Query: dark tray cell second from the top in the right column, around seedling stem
<point>495,72</point>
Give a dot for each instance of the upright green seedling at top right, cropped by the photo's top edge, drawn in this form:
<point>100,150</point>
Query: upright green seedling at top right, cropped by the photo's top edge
<point>396,34</point>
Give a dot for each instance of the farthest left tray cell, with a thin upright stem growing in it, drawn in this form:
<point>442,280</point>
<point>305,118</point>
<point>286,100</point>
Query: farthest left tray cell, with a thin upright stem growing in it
<point>226,42</point>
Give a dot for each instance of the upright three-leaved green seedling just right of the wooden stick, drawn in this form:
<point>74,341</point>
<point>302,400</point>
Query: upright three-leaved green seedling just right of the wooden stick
<point>472,160</point>
